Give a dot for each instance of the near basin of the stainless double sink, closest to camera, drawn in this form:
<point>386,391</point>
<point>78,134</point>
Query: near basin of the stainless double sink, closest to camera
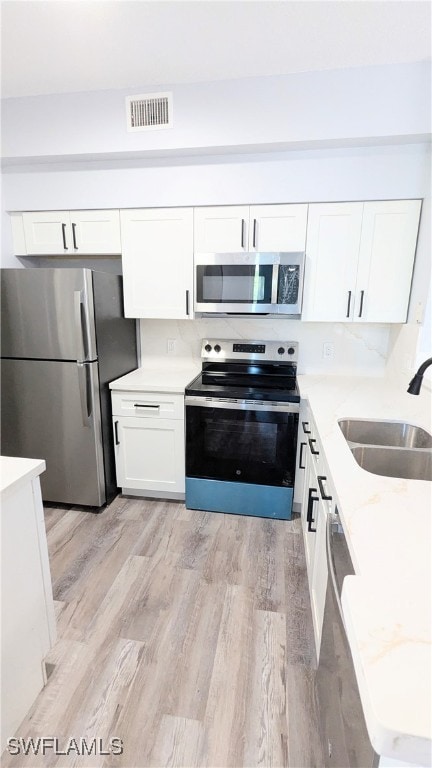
<point>410,464</point>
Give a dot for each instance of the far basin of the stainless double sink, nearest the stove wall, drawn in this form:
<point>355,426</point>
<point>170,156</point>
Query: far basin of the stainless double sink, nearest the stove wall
<point>389,433</point>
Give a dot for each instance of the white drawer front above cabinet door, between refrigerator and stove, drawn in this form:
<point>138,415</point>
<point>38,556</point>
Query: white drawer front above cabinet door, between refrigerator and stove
<point>148,405</point>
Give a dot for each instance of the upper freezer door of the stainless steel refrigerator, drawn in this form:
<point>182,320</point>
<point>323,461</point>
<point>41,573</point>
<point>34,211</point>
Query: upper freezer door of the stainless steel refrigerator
<point>47,314</point>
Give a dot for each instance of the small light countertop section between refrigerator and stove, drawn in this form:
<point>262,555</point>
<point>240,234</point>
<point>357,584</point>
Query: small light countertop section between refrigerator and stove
<point>159,375</point>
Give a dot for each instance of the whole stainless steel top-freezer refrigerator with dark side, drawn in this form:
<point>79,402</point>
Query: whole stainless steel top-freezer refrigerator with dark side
<point>63,339</point>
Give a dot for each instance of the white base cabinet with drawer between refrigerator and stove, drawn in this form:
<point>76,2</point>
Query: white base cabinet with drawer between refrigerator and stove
<point>149,443</point>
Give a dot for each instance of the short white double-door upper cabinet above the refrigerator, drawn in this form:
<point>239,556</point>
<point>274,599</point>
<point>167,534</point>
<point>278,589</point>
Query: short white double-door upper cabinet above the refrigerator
<point>68,233</point>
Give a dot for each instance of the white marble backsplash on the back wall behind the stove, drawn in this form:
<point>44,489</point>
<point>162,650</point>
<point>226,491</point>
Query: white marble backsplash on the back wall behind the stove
<point>358,348</point>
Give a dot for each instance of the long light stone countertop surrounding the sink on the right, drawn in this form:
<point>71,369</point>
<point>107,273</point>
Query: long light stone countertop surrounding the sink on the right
<point>388,604</point>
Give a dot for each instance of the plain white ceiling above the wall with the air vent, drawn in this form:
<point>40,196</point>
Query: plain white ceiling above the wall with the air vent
<point>60,46</point>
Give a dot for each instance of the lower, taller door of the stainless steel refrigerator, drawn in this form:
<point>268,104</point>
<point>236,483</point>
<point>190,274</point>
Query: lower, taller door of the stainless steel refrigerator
<point>51,410</point>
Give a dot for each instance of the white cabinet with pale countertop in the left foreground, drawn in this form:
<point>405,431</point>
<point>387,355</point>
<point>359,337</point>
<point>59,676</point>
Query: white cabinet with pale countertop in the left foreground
<point>28,624</point>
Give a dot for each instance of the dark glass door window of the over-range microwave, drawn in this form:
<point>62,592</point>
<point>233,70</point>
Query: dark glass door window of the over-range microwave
<point>234,284</point>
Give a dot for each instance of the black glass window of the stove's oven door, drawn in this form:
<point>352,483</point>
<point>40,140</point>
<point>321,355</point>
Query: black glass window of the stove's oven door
<point>241,445</point>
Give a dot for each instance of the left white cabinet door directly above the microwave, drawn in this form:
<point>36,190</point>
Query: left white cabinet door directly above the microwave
<point>223,229</point>
